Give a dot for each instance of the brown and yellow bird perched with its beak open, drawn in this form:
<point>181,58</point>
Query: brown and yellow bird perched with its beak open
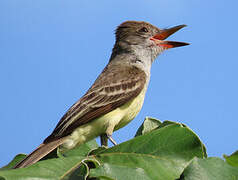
<point>116,96</point>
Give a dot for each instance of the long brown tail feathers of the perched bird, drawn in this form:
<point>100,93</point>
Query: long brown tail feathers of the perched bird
<point>39,153</point>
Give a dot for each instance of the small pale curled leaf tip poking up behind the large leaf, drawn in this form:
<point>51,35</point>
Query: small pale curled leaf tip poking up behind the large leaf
<point>148,125</point>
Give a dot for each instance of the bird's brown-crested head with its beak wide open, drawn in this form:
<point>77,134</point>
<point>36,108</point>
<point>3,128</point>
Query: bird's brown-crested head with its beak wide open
<point>144,37</point>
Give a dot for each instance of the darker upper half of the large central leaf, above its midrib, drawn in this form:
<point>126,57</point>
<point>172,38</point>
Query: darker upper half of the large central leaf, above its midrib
<point>169,141</point>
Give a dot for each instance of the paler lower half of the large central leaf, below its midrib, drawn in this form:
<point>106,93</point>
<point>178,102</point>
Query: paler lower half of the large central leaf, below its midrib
<point>123,166</point>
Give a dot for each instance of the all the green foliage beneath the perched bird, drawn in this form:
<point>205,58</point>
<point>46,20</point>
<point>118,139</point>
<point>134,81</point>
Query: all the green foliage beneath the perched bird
<point>165,151</point>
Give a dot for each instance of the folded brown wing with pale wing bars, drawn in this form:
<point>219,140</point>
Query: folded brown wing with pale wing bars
<point>113,88</point>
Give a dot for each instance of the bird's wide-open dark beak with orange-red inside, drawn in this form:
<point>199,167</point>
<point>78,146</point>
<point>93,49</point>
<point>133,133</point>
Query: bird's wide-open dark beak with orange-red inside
<point>158,38</point>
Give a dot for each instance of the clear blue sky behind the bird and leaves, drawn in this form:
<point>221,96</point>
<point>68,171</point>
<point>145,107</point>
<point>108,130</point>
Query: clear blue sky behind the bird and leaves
<point>52,51</point>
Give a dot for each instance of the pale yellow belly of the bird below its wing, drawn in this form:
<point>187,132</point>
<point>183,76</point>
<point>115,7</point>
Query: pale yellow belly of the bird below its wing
<point>107,123</point>
